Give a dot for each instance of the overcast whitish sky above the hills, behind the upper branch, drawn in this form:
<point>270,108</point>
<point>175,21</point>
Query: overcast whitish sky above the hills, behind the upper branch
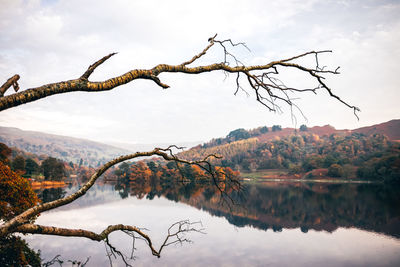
<point>50,41</point>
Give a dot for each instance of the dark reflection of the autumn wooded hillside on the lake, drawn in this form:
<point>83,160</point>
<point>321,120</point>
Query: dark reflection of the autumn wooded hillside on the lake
<point>297,205</point>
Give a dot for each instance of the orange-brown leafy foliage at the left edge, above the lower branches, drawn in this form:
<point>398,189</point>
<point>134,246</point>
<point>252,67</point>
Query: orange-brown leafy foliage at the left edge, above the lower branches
<point>16,194</point>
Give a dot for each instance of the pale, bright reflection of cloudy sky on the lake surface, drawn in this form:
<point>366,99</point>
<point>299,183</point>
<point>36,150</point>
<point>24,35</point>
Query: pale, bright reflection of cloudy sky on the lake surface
<point>223,244</point>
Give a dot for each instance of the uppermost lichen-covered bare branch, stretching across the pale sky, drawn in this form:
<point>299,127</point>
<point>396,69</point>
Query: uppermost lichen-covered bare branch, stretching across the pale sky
<point>266,90</point>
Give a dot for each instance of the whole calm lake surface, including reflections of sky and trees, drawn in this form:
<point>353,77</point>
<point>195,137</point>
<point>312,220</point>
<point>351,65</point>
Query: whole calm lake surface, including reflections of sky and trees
<point>270,224</point>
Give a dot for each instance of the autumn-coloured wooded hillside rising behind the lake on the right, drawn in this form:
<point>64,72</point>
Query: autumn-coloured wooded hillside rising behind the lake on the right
<point>367,152</point>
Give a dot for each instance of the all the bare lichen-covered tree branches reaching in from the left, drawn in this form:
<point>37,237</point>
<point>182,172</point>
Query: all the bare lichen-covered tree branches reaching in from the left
<point>262,80</point>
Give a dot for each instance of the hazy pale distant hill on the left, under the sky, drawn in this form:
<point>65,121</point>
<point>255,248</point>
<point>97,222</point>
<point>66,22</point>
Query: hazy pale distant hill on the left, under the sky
<point>62,147</point>
